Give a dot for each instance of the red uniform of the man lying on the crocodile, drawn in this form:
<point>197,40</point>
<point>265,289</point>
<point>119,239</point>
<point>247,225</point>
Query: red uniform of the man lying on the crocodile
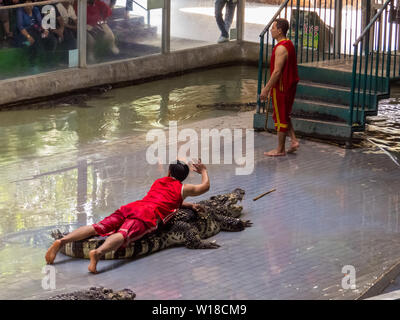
<point>137,218</point>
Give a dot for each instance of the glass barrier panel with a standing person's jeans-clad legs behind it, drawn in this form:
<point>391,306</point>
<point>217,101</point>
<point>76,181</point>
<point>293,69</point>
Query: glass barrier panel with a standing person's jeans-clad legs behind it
<point>194,22</point>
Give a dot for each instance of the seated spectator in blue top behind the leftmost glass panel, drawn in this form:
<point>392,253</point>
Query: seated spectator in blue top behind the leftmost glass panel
<point>31,33</point>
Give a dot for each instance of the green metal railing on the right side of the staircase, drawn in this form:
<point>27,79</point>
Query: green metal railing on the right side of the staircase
<point>375,54</point>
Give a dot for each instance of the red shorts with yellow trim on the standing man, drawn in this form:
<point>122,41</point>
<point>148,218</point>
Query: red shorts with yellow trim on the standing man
<point>282,103</point>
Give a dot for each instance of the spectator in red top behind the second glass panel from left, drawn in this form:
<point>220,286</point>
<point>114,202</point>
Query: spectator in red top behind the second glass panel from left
<point>98,29</point>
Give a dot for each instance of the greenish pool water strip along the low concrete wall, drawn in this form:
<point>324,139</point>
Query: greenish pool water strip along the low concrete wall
<point>73,123</point>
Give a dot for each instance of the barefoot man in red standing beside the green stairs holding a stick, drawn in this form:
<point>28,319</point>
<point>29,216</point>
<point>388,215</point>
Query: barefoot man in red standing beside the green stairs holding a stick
<point>282,87</point>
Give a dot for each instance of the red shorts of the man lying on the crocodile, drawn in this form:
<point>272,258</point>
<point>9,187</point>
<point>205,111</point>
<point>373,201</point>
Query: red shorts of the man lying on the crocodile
<point>131,228</point>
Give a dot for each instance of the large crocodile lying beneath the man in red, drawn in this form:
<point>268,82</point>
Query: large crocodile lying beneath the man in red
<point>186,228</point>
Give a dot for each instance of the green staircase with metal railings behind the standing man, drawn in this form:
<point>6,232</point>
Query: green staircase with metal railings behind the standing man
<point>336,90</point>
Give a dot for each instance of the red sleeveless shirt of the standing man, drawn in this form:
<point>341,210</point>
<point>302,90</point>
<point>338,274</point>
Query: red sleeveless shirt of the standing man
<point>289,77</point>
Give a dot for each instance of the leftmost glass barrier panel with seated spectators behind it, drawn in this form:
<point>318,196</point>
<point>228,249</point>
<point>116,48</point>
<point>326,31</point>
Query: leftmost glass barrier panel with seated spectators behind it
<point>36,37</point>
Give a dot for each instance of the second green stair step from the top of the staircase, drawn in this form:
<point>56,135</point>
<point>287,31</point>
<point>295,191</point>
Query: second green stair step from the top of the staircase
<point>332,94</point>
